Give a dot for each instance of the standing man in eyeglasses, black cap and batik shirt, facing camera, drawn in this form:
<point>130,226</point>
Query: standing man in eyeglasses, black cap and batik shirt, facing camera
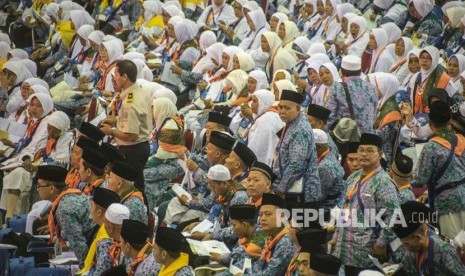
<point>370,190</point>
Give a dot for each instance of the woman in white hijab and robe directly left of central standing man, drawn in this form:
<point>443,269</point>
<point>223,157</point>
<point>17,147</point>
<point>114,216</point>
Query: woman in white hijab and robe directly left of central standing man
<point>261,137</point>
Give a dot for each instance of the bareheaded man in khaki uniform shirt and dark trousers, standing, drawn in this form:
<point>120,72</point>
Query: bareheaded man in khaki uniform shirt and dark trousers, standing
<point>130,122</point>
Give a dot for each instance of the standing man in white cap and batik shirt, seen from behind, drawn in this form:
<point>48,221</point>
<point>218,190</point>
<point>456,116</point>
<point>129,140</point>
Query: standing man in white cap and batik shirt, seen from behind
<point>362,95</point>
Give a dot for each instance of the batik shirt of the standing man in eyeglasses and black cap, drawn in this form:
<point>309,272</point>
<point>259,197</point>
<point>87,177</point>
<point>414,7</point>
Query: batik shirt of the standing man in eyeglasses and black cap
<point>354,243</point>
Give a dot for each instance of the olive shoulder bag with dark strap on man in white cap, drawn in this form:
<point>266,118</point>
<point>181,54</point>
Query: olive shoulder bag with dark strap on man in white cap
<point>345,130</point>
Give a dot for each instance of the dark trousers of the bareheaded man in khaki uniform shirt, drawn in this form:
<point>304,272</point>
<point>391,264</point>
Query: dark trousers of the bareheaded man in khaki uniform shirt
<point>137,156</point>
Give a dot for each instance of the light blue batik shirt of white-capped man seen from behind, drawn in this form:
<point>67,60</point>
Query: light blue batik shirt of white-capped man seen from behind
<point>364,100</point>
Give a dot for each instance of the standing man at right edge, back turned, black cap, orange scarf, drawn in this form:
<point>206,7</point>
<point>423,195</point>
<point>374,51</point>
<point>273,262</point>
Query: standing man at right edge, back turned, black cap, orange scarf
<point>441,167</point>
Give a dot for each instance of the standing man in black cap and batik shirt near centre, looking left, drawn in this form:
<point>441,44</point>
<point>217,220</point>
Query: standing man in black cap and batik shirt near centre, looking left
<point>295,163</point>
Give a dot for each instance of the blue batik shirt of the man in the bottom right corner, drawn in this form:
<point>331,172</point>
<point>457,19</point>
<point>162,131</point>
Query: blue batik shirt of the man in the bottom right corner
<point>445,262</point>
